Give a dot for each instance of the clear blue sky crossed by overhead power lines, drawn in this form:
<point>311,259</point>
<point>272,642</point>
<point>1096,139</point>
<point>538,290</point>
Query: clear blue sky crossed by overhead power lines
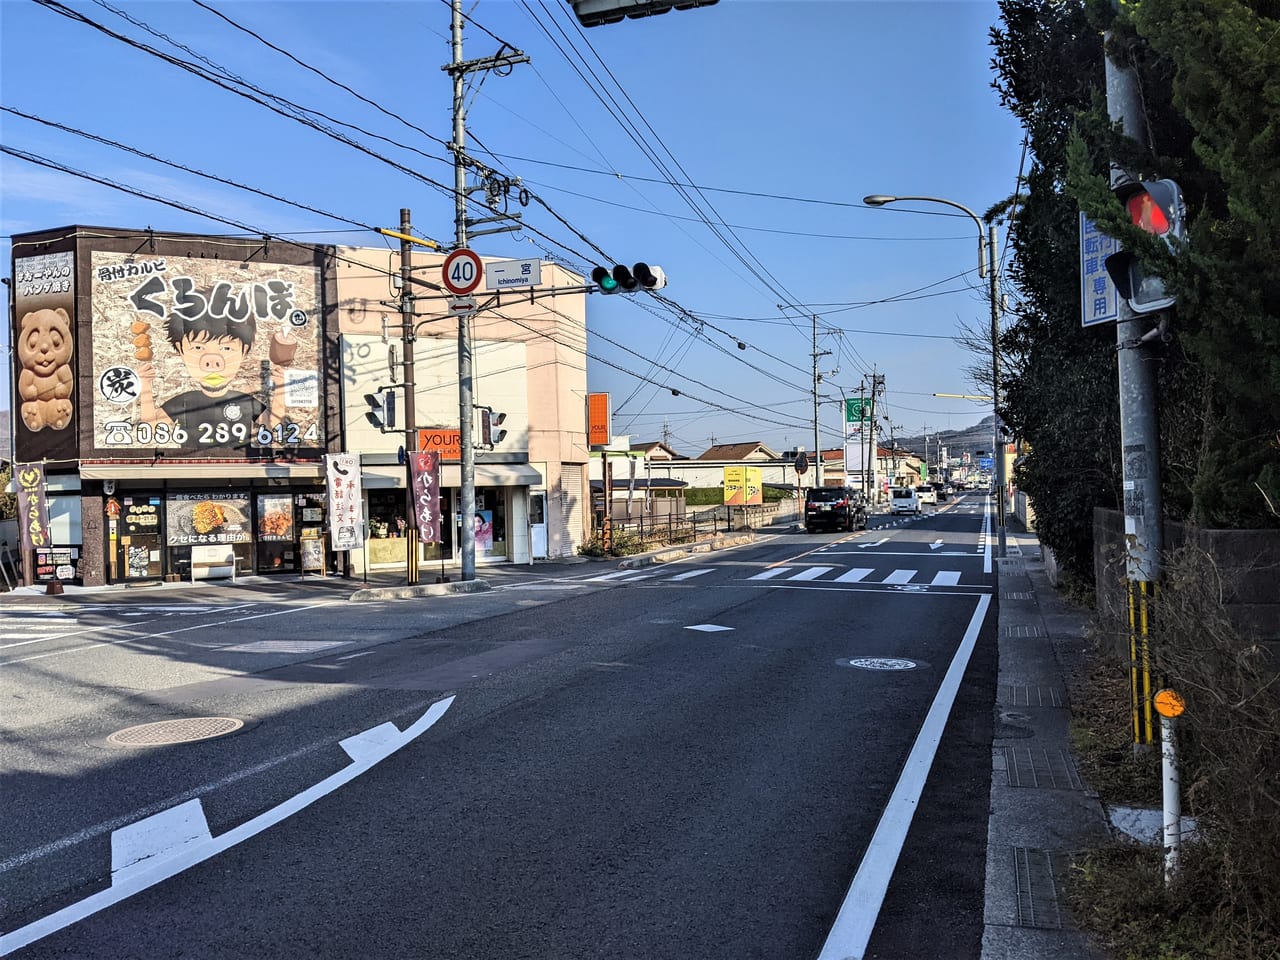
<point>776,117</point>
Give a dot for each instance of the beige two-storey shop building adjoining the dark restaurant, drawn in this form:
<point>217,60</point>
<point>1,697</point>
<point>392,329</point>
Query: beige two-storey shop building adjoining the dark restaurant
<point>529,363</point>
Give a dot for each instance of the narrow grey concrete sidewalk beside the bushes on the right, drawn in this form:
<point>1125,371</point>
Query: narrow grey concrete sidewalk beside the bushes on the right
<point>1041,811</point>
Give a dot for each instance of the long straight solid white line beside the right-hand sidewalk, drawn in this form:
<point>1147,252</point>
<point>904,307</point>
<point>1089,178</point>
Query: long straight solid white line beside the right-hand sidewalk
<point>858,913</point>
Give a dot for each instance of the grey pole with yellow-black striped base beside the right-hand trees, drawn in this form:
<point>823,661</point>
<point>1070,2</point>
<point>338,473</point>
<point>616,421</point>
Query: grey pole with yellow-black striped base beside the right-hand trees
<point>1140,444</point>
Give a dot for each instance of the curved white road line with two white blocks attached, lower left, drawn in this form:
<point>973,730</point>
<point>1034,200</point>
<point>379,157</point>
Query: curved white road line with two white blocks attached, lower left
<point>144,862</point>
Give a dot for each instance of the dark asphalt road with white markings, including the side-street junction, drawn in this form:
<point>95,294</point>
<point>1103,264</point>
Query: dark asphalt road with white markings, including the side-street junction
<point>712,758</point>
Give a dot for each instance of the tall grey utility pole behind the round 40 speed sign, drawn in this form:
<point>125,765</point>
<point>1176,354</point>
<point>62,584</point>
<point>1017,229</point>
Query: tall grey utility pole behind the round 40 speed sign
<point>468,534</point>
